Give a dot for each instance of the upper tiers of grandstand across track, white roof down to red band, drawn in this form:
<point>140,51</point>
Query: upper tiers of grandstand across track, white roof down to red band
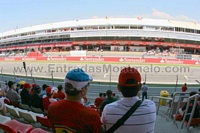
<point>128,30</point>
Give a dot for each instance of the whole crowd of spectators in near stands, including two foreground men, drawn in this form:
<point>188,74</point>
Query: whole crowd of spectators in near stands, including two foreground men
<point>68,106</point>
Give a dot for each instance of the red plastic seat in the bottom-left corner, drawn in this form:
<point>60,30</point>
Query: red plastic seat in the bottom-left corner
<point>14,126</point>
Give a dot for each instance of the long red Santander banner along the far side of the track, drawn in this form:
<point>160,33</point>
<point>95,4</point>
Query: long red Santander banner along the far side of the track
<point>104,59</point>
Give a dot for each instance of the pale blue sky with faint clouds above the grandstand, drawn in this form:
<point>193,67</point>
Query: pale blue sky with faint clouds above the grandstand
<point>23,13</point>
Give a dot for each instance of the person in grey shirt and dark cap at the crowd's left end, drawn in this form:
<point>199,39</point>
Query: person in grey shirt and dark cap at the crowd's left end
<point>12,95</point>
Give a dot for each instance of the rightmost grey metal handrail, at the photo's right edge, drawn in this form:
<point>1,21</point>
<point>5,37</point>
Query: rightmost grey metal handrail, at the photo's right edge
<point>196,96</point>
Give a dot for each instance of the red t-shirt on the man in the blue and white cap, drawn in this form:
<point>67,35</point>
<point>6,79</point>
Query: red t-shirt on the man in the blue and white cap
<point>74,115</point>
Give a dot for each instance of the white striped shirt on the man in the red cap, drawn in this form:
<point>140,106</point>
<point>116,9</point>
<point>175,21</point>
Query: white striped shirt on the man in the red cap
<point>141,121</point>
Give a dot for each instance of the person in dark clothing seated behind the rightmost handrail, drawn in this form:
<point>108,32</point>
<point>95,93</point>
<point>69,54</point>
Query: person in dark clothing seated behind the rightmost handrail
<point>191,104</point>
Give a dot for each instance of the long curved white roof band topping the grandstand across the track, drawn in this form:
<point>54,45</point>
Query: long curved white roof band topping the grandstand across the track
<point>105,21</point>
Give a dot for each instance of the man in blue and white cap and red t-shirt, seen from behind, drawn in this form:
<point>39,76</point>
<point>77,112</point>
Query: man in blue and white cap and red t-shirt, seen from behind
<point>71,112</point>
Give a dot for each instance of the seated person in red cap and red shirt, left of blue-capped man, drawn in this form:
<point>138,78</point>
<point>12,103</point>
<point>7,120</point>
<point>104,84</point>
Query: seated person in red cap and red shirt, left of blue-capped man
<point>49,98</point>
